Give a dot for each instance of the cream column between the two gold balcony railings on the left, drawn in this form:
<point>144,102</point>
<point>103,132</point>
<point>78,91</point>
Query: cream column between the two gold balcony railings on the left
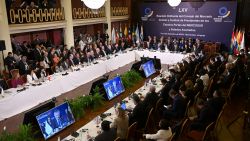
<point>68,30</point>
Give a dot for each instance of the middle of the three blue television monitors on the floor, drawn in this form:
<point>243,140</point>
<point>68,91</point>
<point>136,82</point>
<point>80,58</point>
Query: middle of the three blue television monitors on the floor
<point>113,87</point>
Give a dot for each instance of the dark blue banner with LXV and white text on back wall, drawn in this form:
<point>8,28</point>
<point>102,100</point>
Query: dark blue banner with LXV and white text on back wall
<point>209,21</point>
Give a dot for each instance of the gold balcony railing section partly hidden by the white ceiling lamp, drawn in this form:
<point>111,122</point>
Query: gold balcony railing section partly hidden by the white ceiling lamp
<point>87,13</point>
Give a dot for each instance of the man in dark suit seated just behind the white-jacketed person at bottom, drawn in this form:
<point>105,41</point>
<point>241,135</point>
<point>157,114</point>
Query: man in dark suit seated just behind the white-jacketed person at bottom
<point>178,108</point>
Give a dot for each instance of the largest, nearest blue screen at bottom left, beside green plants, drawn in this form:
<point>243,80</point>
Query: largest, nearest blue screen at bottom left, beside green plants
<point>55,120</point>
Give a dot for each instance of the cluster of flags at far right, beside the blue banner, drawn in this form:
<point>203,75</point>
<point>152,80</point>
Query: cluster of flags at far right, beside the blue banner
<point>237,41</point>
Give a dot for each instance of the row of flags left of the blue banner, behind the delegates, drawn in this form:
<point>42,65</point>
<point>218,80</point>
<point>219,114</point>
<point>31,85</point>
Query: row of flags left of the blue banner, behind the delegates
<point>134,34</point>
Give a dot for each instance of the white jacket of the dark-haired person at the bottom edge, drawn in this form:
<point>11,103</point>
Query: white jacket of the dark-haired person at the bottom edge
<point>161,135</point>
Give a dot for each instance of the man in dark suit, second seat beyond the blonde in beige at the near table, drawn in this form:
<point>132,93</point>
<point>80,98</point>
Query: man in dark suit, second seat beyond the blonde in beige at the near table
<point>151,98</point>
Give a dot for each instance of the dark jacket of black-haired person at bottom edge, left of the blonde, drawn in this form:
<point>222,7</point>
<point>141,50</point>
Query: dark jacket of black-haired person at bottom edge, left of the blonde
<point>106,136</point>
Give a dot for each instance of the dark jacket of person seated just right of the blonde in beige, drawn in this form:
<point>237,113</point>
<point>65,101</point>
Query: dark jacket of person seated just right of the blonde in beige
<point>138,115</point>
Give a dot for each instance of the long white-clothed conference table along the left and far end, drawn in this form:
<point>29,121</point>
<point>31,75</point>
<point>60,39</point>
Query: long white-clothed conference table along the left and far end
<point>14,102</point>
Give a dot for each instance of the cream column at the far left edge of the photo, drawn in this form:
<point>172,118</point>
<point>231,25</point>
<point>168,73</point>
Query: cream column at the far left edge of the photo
<point>4,31</point>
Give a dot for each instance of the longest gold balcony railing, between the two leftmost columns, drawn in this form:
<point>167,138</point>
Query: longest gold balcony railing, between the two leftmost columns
<point>21,16</point>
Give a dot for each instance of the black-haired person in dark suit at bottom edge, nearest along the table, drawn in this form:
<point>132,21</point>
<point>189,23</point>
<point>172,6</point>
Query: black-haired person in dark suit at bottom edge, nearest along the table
<point>107,133</point>
